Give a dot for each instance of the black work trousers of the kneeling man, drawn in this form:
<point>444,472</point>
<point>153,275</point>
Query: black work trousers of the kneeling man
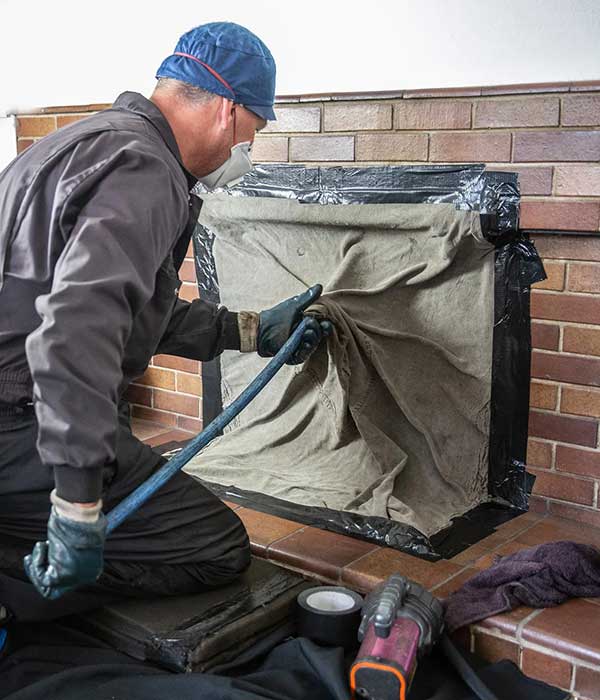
<point>183,540</point>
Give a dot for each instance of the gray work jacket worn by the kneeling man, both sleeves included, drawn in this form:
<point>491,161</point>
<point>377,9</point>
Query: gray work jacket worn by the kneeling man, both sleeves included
<point>95,220</point>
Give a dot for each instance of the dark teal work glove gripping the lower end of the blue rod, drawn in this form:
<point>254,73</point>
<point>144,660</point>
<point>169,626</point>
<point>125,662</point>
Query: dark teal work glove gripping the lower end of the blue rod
<point>72,556</point>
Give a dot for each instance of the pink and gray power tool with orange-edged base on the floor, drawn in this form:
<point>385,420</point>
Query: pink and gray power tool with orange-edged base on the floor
<point>401,621</point>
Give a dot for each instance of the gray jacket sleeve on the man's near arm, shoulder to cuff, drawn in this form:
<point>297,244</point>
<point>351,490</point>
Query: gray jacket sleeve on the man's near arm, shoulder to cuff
<point>116,237</point>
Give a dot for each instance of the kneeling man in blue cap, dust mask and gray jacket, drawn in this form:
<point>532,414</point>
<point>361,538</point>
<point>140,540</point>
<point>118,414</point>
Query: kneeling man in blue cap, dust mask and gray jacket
<point>95,220</point>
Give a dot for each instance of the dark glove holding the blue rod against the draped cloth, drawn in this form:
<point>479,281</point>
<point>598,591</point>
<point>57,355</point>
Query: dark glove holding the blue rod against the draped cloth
<point>277,324</point>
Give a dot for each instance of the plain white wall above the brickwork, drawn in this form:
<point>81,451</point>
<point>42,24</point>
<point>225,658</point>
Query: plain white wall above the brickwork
<point>74,52</point>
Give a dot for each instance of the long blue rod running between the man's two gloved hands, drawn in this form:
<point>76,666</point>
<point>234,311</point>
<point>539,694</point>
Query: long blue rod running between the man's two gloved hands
<point>143,492</point>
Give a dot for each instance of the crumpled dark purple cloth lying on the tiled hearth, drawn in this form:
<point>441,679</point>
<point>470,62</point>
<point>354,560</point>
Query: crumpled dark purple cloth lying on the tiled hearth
<point>541,577</point>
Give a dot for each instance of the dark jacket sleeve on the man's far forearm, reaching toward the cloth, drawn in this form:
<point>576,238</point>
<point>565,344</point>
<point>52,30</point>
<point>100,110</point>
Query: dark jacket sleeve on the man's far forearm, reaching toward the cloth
<point>200,330</point>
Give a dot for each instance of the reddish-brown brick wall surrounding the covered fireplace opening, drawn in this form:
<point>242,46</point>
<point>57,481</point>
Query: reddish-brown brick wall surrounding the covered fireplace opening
<point>550,135</point>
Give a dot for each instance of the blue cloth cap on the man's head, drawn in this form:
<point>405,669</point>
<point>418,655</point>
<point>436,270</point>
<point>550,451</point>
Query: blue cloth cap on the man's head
<point>228,60</point>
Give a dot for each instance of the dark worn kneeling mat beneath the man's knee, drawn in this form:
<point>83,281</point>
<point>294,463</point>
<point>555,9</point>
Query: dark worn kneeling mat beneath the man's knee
<point>203,631</point>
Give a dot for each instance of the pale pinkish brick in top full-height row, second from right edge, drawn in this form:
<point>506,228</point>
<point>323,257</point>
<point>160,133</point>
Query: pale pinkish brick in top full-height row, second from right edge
<point>538,111</point>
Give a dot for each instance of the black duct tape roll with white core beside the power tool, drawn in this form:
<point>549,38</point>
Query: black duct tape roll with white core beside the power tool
<point>329,615</point>
